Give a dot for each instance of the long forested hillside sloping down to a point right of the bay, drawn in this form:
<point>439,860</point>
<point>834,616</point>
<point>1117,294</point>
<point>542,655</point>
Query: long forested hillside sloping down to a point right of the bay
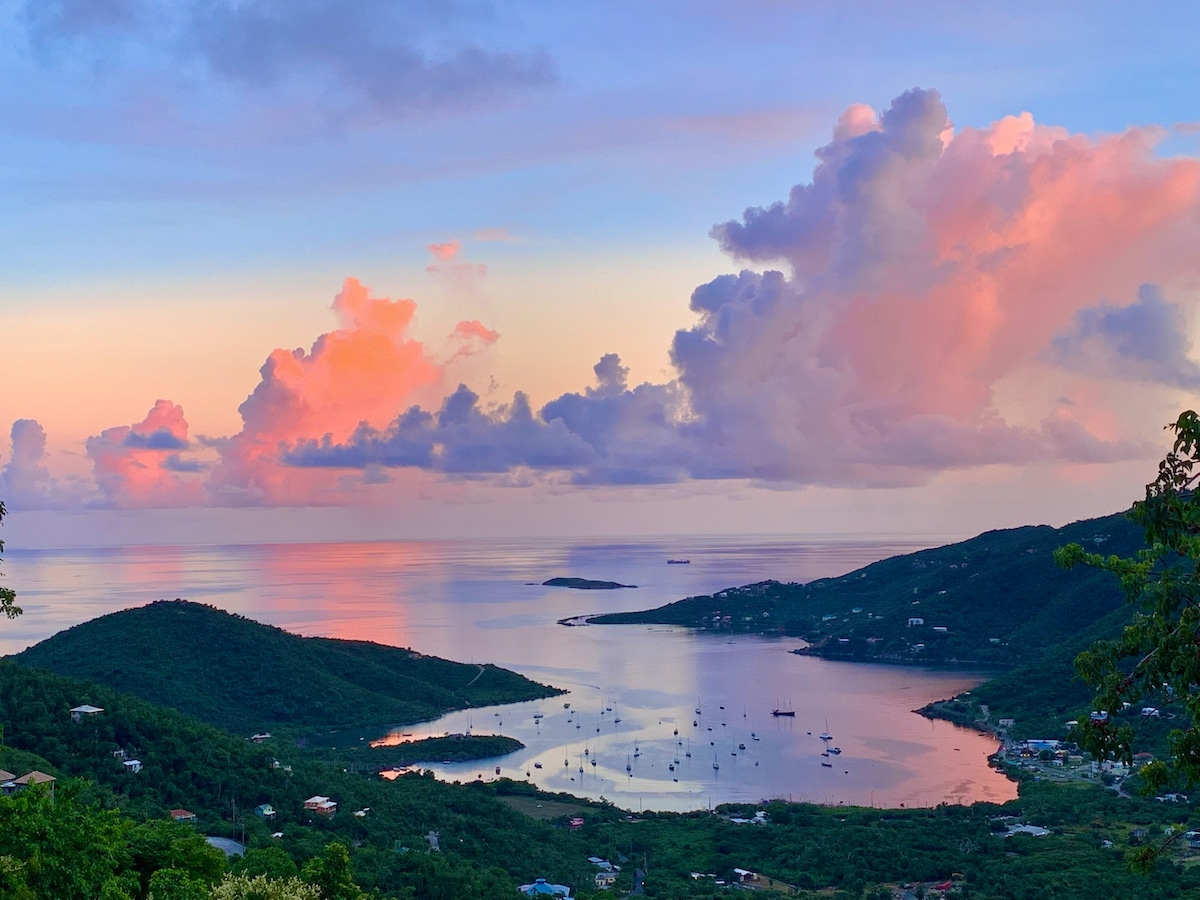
<point>995,599</point>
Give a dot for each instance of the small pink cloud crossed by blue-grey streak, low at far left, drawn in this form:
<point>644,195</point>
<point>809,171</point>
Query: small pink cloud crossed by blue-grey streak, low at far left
<point>140,466</point>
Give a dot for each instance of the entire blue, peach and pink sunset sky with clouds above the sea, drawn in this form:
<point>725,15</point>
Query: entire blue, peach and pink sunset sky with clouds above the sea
<point>356,269</point>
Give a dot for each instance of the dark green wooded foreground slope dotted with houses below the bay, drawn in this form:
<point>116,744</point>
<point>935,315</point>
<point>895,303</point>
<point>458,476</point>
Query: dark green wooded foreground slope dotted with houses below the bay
<point>112,839</point>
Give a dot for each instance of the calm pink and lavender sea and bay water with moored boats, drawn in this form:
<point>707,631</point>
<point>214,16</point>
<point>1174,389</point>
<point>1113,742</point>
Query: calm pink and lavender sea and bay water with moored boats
<point>481,602</point>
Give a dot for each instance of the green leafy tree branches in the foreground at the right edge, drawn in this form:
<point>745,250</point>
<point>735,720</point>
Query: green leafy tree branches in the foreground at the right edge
<point>1157,658</point>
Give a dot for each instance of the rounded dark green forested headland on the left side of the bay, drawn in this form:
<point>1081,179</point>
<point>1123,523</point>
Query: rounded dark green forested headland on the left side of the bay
<point>248,677</point>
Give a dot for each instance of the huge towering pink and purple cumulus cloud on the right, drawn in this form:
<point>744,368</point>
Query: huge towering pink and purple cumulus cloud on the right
<point>923,266</point>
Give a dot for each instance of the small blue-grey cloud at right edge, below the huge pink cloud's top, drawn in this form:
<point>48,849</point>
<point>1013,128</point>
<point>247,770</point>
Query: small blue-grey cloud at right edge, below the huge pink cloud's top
<point>1144,341</point>
